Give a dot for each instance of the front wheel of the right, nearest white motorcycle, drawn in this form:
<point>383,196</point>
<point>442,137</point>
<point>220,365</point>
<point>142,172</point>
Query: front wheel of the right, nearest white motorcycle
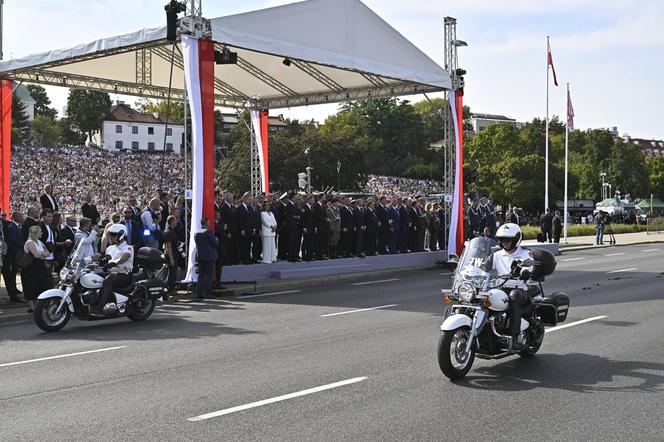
<point>453,360</point>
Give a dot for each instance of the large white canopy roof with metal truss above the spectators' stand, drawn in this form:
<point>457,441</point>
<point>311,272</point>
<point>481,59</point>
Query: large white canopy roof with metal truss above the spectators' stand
<point>339,50</point>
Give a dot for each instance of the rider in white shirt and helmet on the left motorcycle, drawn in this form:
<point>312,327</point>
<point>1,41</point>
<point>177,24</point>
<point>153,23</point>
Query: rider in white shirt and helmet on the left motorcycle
<point>120,265</point>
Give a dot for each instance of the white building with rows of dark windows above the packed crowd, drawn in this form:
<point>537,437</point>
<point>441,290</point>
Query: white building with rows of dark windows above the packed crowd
<point>128,129</point>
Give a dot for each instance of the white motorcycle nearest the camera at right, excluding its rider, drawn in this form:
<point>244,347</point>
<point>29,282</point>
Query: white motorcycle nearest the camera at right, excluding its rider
<point>477,322</point>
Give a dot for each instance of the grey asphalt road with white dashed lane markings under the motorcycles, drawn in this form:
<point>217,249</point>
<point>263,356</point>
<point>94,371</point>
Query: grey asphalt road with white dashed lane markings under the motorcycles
<point>305,366</point>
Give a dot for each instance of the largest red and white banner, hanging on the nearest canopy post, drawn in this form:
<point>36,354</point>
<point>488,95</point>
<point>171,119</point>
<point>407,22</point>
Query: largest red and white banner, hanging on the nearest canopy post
<point>198,56</point>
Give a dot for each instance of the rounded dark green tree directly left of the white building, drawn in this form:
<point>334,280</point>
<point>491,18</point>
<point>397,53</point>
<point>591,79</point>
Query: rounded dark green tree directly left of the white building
<point>87,110</point>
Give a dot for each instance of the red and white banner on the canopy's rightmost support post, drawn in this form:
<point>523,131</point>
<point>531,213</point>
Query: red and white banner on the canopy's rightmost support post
<point>455,242</point>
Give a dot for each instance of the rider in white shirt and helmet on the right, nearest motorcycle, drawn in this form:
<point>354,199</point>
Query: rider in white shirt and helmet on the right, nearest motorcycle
<point>507,261</point>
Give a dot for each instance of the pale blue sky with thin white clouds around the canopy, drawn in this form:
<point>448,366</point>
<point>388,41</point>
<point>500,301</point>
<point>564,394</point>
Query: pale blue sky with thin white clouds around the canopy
<point>611,52</point>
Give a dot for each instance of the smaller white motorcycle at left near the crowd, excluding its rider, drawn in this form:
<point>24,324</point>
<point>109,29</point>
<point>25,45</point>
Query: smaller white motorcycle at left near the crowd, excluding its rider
<point>80,286</point>
